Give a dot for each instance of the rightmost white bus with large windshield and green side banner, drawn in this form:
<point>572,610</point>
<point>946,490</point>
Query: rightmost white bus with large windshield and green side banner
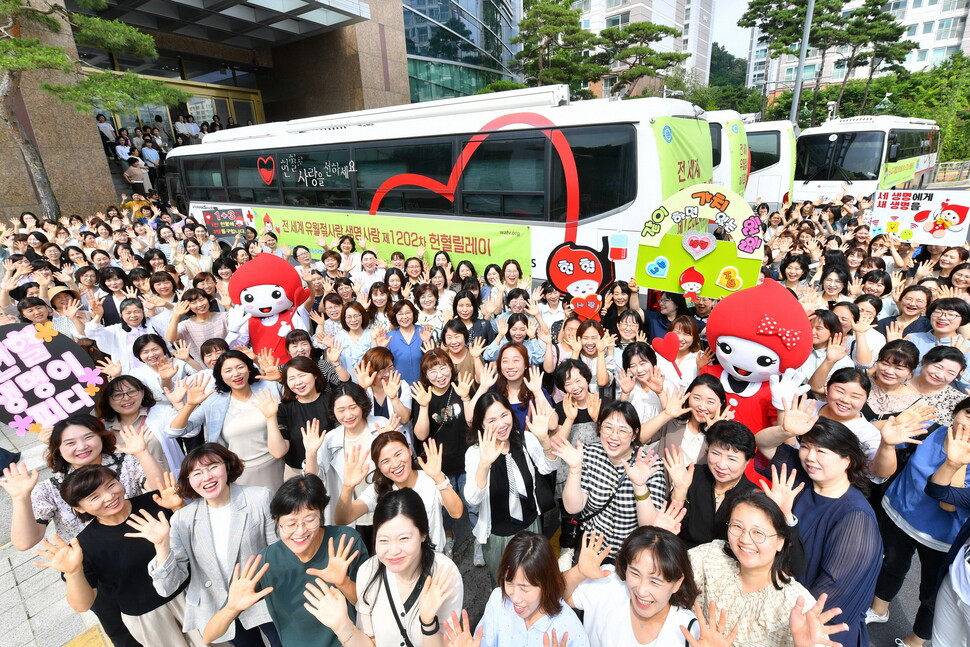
<point>866,154</point>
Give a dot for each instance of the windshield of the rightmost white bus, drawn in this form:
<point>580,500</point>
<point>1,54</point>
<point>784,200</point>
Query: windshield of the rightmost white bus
<point>841,157</point>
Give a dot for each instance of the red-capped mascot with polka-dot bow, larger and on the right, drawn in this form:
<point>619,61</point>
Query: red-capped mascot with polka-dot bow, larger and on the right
<point>760,336</point>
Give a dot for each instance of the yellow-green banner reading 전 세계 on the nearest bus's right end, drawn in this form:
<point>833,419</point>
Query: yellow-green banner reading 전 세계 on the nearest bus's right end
<point>684,153</point>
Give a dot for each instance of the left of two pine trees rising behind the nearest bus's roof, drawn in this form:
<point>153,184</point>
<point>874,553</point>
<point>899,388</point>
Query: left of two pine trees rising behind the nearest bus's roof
<point>556,49</point>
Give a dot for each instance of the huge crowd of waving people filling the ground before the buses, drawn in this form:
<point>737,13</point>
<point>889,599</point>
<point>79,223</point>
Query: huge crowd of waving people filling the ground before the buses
<point>216,496</point>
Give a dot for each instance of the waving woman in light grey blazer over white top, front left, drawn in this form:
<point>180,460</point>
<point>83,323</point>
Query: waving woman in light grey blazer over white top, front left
<point>222,525</point>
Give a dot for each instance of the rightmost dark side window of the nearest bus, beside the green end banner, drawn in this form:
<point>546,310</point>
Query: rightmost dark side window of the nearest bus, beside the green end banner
<point>607,168</point>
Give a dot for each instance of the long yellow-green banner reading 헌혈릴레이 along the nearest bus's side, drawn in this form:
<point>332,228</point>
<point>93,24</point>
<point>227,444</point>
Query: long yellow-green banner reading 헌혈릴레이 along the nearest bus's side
<point>479,242</point>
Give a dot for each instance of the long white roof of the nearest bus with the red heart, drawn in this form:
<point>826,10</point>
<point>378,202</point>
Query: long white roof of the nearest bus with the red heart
<point>444,117</point>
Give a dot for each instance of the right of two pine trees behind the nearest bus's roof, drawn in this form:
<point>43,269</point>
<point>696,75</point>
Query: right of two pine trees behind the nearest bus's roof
<point>630,44</point>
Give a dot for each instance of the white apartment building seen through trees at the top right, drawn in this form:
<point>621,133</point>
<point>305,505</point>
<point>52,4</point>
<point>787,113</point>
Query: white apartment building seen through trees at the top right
<point>937,26</point>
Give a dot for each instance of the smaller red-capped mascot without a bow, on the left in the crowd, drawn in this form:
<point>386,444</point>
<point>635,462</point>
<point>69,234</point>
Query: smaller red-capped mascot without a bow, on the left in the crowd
<point>270,296</point>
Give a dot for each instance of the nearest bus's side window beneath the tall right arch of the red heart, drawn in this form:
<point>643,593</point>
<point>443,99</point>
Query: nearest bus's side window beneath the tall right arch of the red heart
<point>506,178</point>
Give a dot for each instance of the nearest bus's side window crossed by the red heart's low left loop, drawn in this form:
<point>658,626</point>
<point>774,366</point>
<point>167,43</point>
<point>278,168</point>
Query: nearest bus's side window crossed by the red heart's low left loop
<point>377,164</point>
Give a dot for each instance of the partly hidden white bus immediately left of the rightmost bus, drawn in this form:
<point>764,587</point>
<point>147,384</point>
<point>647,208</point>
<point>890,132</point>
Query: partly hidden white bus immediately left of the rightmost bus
<point>772,148</point>
